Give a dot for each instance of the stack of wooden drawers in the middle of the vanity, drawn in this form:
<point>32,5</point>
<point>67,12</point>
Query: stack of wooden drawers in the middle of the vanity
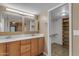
<point>25,47</point>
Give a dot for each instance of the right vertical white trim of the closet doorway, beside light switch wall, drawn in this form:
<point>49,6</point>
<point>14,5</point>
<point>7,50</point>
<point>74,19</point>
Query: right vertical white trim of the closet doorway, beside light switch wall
<point>70,29</point>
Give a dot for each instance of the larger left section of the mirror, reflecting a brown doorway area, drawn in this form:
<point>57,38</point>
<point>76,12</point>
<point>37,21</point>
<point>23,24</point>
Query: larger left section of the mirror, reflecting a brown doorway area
<point>10,22</point>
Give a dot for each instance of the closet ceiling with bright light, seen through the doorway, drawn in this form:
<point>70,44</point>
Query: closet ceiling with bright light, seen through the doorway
<point>62,11</point>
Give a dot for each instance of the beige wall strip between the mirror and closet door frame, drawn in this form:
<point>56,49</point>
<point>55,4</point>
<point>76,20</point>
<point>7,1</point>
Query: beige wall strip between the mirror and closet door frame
<point>43,18</point>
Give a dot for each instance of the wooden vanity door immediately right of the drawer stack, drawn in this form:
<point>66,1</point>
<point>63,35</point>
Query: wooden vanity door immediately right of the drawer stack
<point>34,47</point>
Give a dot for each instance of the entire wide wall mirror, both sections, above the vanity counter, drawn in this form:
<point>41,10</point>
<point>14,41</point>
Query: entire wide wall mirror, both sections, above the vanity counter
<point>13,22</point>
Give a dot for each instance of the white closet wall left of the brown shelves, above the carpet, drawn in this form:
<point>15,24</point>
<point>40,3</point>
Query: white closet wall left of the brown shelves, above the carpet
<point>56,28</point>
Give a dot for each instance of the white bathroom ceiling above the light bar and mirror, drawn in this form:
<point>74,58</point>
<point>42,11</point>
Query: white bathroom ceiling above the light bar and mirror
<point>34,8</point>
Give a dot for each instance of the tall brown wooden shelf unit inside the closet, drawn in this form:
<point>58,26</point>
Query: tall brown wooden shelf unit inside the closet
<point>65,32</point>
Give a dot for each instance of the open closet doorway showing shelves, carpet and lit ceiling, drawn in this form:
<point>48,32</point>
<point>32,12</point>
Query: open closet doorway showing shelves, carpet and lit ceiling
<point>59,30</point>
